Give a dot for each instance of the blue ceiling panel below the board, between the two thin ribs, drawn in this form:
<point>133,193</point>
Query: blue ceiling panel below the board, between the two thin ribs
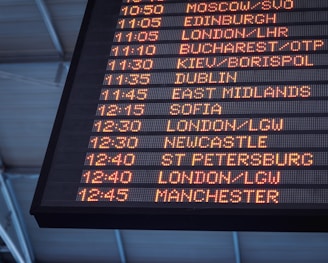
<point>178,246</point>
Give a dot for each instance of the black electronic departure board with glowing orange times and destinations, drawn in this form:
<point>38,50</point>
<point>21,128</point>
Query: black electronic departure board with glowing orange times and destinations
<point>192,115</point>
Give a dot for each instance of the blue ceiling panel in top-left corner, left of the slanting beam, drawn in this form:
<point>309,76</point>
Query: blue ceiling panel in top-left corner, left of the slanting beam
<point>23,33</point>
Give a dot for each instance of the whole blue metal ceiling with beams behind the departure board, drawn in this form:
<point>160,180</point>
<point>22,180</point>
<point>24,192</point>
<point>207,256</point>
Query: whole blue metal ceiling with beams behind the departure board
<point>37,39</point>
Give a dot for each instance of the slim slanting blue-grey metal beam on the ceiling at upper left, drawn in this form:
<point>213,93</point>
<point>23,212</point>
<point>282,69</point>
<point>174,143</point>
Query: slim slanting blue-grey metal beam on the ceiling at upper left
<point>50,27</point>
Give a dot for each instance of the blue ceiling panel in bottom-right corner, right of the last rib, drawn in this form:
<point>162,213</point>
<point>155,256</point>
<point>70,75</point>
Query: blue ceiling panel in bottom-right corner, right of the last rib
<point>283,247</point>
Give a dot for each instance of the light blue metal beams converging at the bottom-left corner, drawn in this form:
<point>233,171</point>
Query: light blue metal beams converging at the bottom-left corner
<point>16,221</point>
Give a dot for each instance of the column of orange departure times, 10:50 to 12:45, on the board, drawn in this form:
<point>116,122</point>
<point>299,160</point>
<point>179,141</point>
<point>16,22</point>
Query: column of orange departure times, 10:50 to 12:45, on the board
<point>123,96</point>
